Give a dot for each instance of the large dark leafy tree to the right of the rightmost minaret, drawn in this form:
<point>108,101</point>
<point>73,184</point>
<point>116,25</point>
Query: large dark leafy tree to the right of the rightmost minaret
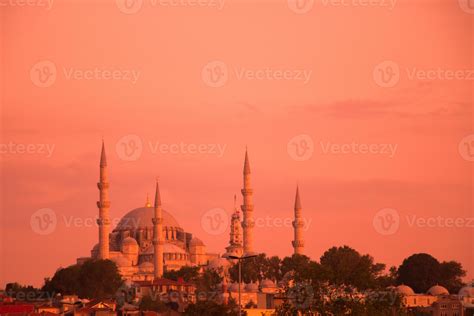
<point>345,266</point>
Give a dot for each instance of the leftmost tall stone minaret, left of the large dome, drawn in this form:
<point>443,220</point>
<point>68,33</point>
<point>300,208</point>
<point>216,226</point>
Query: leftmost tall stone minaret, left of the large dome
<point>104,205</point>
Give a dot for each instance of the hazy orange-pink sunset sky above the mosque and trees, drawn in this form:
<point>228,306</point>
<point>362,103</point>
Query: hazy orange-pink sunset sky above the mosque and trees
<point>172,102</point>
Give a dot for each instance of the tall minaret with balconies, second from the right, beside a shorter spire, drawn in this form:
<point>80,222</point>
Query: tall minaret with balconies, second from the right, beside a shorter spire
<point>247,208</point>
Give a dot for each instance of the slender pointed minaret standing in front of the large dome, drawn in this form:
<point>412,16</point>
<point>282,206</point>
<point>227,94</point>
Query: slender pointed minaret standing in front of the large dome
<point>158,241</point>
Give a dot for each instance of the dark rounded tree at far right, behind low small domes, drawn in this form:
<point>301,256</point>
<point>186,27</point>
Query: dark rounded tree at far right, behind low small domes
<point>421,271</point>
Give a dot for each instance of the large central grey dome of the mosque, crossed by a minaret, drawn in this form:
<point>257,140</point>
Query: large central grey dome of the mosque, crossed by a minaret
<point>142,218</point>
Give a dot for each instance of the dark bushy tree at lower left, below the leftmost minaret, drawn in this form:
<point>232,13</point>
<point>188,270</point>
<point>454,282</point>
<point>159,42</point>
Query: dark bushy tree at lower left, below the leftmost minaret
<point>93,279</point>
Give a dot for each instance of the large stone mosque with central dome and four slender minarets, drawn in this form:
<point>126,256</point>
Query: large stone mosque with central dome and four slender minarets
<point>148,240</point>
